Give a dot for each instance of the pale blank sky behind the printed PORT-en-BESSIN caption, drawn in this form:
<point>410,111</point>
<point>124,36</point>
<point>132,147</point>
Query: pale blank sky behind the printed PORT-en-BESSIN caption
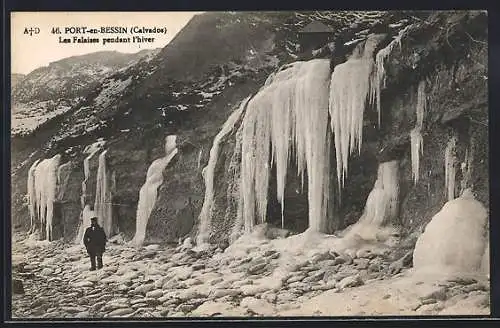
<point>29,52</point>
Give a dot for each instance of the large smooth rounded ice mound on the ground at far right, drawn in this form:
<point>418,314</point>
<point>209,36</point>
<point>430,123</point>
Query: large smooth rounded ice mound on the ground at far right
<point>442,245</point>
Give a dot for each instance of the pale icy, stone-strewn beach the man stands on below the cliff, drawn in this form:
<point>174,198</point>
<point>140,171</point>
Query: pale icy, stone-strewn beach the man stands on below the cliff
<point>160,281</point>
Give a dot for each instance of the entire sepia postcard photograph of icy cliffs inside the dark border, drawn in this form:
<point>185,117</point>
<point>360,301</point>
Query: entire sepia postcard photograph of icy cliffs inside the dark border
<point>249,164</point>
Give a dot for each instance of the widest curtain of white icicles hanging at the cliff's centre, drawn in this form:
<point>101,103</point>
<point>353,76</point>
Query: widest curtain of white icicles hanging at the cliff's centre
<point>289,113</point>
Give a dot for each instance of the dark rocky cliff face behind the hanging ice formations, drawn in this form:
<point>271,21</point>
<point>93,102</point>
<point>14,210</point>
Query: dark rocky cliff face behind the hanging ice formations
<point>193,96</point>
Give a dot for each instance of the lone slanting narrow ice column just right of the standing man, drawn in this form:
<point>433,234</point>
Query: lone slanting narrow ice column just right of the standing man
<point>149,190</point>
